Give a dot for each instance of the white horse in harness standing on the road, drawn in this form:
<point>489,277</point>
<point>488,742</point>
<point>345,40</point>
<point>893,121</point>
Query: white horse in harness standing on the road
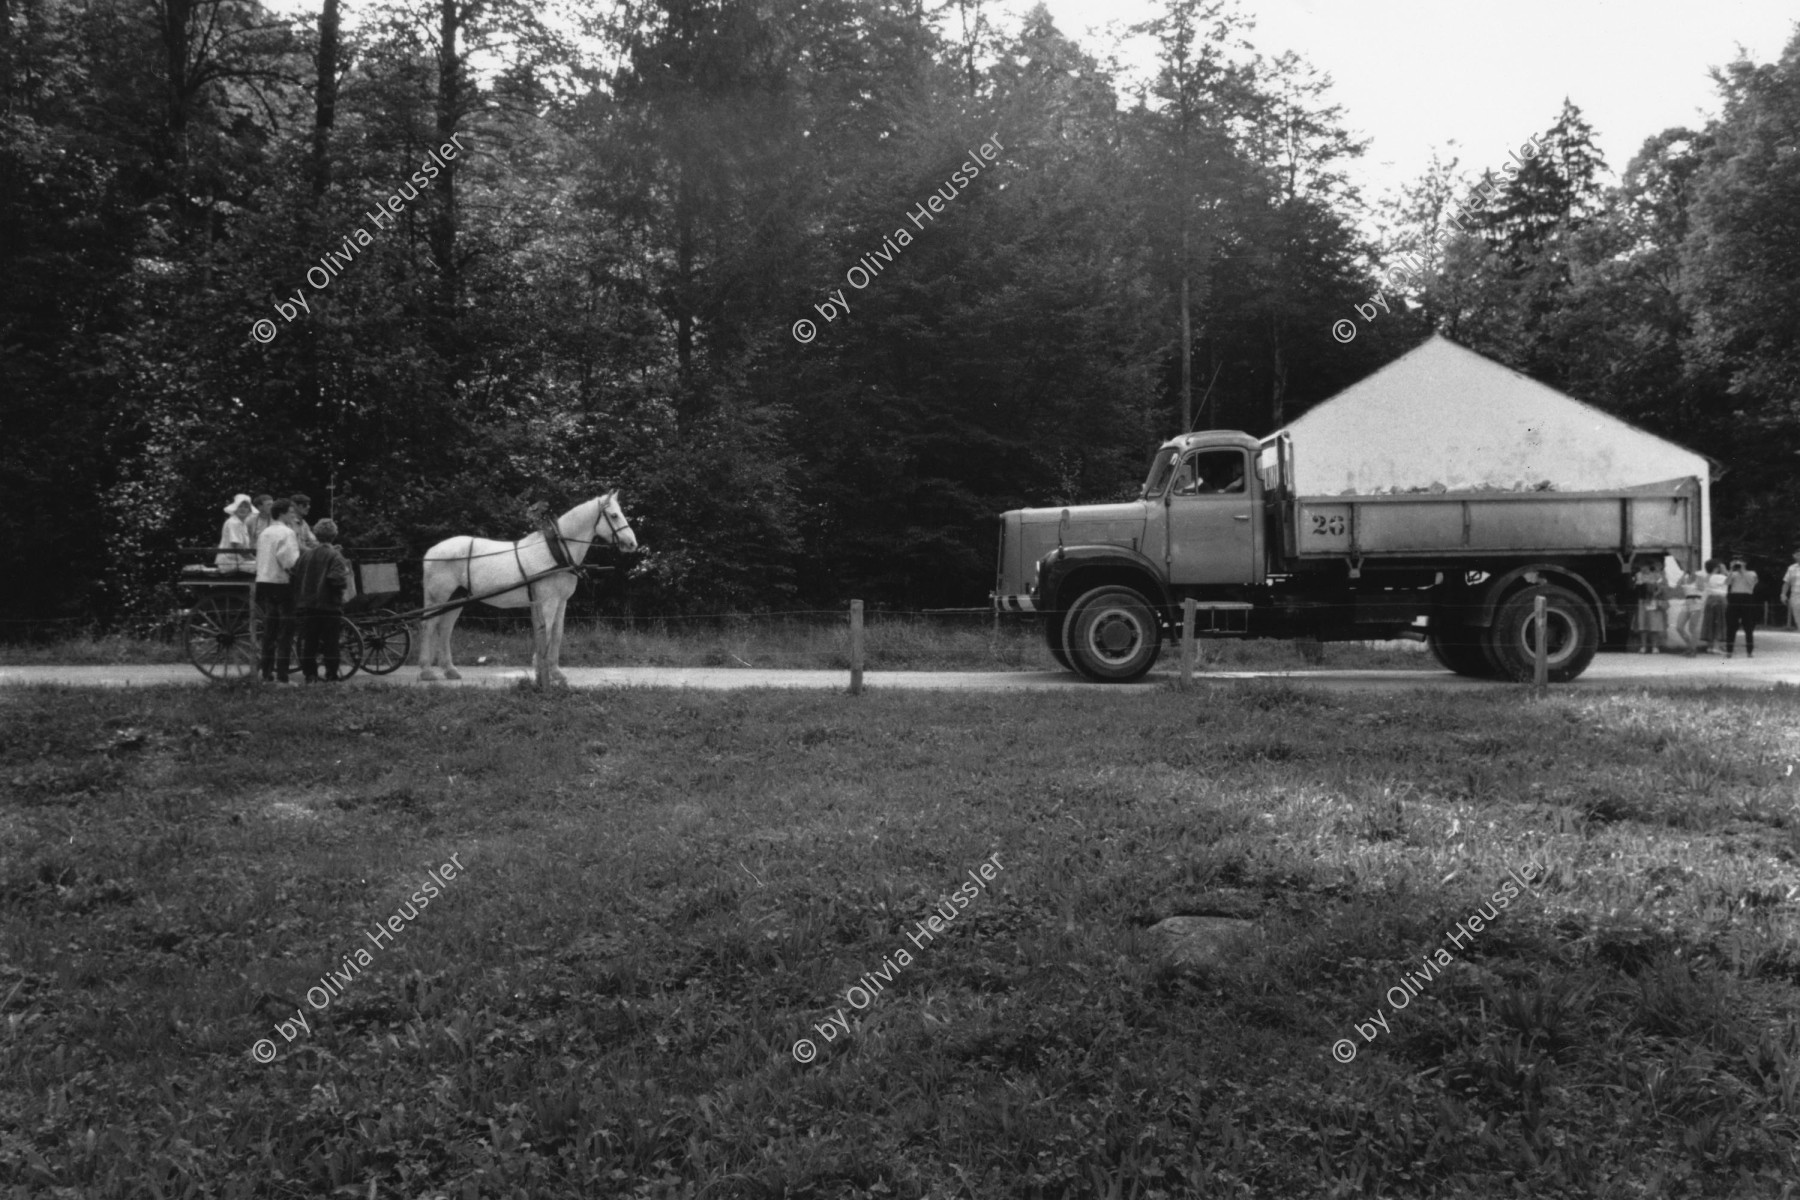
<point>487,568</point>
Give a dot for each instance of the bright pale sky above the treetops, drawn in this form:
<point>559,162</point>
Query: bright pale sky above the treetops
<point>1417,75</point>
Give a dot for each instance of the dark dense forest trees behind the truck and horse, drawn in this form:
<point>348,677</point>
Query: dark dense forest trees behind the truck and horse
<point>604,291</point>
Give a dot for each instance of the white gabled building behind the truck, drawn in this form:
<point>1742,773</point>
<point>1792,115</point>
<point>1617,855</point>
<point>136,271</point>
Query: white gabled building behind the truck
<point>1448,418</point>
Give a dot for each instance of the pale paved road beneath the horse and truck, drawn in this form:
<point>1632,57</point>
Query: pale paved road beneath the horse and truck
<point>1776,663</point>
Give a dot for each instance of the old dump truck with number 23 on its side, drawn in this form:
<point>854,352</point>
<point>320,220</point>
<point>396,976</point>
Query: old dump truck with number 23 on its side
<point>1218,523</point>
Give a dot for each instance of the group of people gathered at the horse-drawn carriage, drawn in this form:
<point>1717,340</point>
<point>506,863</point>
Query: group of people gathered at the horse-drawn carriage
<point>301,582</point>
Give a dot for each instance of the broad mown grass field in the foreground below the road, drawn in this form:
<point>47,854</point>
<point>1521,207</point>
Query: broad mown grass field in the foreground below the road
<point>661,893</point>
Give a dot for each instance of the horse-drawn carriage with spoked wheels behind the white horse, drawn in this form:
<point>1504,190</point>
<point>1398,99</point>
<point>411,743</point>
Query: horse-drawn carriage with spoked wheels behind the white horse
<point>222,632</point>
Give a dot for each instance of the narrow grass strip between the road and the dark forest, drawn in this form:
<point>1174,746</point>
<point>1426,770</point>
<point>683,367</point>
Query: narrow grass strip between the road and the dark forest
<point>892,645</point>
